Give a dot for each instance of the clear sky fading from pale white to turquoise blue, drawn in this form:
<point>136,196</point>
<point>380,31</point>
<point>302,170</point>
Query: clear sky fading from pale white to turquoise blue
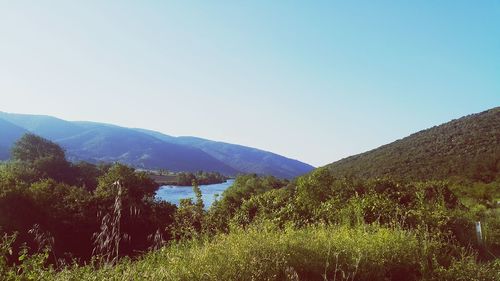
<point>311,80</point>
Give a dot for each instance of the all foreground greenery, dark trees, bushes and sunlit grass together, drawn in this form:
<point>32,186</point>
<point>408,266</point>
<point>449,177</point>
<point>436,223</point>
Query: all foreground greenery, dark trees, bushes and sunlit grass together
<point>63,221</point>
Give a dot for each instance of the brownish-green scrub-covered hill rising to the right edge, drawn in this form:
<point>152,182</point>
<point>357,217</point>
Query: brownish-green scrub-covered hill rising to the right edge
<point>468,147</point>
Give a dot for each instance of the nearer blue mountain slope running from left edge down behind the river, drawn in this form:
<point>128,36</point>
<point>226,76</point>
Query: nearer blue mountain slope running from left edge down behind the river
<point>96,142</point>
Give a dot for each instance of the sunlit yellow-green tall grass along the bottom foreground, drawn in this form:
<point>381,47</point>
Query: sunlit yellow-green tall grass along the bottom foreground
<point>313,253</point>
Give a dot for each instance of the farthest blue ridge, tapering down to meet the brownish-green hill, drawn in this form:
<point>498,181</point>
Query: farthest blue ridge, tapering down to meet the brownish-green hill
<point>242,158</point>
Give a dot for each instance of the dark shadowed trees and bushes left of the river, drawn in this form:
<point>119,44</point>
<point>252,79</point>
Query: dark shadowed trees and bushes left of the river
<point>44,196</point>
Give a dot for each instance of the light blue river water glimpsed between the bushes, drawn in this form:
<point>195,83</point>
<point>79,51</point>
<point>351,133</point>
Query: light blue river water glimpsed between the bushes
<point>174,193</point>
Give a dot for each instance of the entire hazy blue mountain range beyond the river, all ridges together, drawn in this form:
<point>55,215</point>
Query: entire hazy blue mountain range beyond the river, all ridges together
<point>98,142</point>
